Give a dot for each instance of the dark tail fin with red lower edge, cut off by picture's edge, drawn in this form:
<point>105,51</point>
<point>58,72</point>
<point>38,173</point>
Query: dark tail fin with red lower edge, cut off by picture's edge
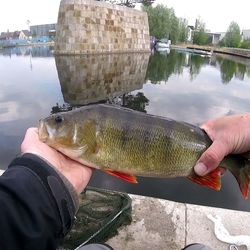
<point>242,175</point>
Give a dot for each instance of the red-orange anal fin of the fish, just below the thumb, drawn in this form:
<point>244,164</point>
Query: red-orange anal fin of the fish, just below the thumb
<point>211,180</point>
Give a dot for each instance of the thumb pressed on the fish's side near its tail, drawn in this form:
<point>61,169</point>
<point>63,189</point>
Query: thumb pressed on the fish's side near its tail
<point>211,158</point>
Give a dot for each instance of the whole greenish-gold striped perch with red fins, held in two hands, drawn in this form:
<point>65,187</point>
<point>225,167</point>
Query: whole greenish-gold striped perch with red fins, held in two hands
<point>125,143</point>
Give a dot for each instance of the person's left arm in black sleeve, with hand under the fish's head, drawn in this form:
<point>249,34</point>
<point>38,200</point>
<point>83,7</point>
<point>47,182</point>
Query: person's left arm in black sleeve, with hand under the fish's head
<point>39,196</point>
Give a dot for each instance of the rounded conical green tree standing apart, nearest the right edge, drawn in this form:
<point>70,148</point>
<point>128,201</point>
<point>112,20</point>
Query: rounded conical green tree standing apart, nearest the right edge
<point>232,37</point>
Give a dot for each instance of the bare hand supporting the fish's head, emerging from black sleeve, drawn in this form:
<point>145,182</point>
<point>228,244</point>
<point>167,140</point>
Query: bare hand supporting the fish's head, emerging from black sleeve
<point>78,174</point>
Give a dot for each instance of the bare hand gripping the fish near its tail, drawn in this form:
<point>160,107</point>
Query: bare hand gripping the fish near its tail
<point>230,135</point>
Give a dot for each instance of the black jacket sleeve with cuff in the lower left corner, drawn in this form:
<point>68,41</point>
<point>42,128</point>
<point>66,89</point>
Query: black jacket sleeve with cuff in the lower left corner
<point>36,207</point>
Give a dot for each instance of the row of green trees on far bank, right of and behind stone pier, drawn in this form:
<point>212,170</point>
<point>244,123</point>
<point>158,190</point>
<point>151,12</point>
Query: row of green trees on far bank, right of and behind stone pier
<point>163,23</point>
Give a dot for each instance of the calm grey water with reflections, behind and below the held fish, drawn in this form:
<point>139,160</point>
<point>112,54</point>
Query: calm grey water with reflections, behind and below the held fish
<point>177,85</point>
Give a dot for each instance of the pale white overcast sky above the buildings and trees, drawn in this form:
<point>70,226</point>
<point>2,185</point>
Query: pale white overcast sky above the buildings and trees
<point>217,14</point>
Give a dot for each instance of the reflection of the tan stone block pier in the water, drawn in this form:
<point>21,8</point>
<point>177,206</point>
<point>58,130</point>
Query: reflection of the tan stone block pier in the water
<point>94,78</point>
